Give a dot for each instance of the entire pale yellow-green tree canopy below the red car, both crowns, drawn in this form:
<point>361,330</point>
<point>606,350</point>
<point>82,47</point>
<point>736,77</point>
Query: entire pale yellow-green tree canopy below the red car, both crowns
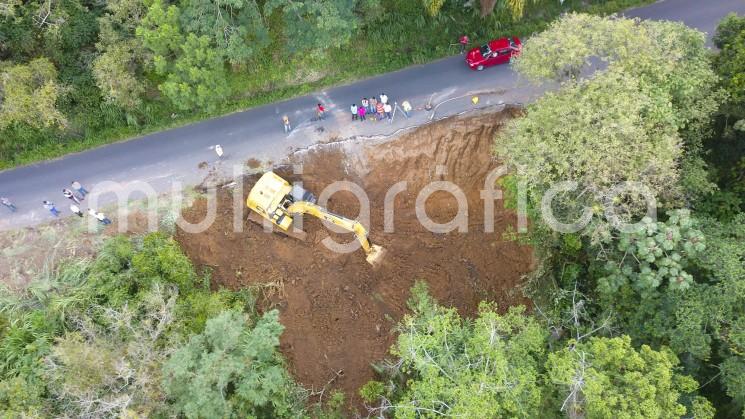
<point>633,123</point>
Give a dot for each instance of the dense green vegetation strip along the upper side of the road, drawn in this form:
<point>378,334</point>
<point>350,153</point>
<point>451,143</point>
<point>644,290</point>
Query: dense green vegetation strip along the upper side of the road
<point>79,73</point>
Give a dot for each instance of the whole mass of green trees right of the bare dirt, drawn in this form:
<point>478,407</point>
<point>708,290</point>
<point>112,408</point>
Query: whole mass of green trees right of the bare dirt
<point>633,317</point>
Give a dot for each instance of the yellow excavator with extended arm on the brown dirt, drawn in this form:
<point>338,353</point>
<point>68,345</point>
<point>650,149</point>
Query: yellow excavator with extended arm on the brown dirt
<point>274,199</point>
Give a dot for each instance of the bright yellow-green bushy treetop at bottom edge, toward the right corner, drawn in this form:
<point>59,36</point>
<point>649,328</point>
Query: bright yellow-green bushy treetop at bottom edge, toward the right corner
<point>604,378</point>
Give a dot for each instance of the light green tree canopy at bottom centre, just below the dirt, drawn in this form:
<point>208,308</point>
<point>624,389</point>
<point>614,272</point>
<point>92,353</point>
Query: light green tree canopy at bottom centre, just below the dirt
<point>485,367</point>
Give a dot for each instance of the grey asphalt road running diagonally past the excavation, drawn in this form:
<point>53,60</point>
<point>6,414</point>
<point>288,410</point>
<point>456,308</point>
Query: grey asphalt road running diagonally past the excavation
<point>172,157</point>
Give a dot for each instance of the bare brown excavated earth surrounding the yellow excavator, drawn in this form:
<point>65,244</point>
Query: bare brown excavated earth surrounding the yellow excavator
<point>339,313</point>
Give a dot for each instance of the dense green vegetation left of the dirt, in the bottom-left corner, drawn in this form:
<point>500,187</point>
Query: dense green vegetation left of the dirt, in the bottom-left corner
<point>136,332</point>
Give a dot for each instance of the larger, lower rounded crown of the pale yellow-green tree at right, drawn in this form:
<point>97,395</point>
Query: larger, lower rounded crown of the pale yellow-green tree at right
<point>614,131</point>
